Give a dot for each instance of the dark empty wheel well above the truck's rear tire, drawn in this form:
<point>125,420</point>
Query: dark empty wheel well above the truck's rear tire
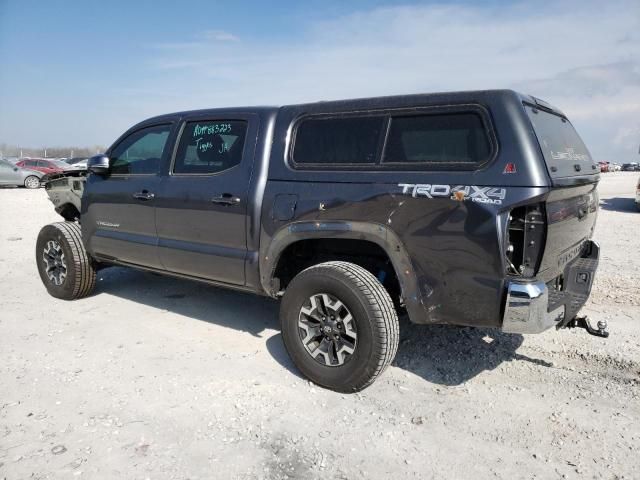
<point>369,255</point>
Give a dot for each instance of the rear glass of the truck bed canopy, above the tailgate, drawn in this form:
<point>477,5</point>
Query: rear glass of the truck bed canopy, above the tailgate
<point>564,151</point>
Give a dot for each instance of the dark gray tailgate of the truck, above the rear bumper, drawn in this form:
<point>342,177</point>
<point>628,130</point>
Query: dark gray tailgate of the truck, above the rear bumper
<point>571,216</point>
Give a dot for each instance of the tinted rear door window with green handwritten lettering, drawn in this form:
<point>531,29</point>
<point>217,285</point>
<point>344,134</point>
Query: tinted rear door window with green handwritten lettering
<point>208,147</point>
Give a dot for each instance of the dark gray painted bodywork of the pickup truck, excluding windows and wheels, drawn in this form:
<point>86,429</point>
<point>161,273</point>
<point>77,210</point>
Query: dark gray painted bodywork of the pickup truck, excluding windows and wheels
<point>447,252</point>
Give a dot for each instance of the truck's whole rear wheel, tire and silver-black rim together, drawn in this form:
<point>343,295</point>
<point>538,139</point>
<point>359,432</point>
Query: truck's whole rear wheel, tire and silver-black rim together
<point>339,325</point>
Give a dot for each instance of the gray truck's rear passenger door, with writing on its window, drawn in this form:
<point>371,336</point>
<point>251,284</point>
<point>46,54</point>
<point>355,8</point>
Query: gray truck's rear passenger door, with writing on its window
<point>202,206</point>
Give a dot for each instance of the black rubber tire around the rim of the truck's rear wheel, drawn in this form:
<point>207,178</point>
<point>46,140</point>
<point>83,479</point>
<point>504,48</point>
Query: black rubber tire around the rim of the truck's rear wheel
<point>371,307</point>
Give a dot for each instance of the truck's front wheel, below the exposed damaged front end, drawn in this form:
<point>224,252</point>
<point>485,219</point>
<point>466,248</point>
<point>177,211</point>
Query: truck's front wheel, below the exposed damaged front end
<point>64,266</point>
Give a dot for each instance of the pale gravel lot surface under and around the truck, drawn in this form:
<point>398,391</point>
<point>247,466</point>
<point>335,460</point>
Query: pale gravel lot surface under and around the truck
<point>153,377</point>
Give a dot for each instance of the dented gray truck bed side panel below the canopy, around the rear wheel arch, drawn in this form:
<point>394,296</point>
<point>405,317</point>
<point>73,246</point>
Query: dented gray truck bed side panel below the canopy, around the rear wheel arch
<point>453,248</point>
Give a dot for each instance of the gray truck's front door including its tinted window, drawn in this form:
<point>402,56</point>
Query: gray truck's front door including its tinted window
<point>118,210</point>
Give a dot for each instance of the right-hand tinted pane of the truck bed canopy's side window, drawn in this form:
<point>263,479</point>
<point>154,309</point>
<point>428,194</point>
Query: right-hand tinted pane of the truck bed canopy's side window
<point>455,138</point>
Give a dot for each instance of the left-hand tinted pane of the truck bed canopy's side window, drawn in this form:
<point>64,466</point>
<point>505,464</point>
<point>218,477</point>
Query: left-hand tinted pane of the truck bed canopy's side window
<point>338,140</point>
